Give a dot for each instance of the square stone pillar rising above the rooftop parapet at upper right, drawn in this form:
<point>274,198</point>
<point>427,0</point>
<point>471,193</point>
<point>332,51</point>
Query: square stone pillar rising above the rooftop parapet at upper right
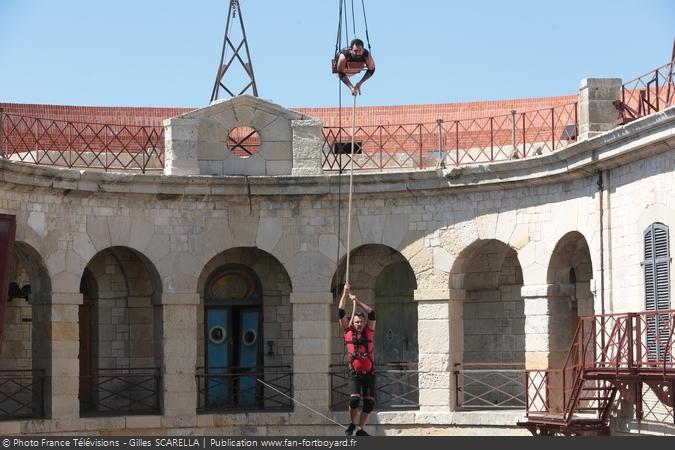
<point>597,114</point>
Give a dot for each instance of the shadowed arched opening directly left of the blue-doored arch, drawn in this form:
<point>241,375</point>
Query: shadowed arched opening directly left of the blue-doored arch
<point>120,335</point>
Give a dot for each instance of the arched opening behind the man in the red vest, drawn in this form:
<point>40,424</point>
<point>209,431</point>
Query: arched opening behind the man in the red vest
<point>381,277</point>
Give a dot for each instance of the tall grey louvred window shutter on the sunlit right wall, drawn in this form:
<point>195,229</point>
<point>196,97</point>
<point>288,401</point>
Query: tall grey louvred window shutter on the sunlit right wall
<point>657,288</point>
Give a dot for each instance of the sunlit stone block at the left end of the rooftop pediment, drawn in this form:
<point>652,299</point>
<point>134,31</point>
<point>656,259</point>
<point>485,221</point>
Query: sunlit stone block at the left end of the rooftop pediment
<point>180,146</point>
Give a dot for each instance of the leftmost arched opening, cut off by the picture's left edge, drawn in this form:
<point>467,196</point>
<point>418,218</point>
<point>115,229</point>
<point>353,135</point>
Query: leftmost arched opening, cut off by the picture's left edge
<point>25,358</point>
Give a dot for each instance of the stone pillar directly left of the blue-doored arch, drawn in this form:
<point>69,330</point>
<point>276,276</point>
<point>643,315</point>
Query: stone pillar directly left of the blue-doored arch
<point>179,359</point>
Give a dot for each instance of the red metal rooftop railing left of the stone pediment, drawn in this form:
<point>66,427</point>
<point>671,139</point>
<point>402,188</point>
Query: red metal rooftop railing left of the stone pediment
<point>72,144</point>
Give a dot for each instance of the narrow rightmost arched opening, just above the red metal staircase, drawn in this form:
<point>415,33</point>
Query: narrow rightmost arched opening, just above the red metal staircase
<point>569,274</point>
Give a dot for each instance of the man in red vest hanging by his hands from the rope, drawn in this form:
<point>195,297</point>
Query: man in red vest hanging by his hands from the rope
<point>359,340</point>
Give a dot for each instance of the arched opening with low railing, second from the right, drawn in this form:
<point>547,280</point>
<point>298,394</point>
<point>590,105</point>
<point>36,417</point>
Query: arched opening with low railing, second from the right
<point>489,277</point>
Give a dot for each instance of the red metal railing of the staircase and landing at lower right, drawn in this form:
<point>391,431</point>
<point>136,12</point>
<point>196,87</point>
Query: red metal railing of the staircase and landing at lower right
<point>606,347</point>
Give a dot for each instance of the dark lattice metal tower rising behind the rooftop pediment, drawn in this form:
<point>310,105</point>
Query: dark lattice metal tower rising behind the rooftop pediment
<point>236,70</point>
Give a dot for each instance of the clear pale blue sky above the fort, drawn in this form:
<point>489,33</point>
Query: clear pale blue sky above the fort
<point>166,53</point>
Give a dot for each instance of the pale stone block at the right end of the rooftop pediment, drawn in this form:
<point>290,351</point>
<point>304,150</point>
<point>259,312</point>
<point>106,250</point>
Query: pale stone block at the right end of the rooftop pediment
<point>307,147</point>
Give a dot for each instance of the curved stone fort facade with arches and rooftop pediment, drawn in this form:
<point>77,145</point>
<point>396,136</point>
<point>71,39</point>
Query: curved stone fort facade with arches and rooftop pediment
<point>470,265</point>
